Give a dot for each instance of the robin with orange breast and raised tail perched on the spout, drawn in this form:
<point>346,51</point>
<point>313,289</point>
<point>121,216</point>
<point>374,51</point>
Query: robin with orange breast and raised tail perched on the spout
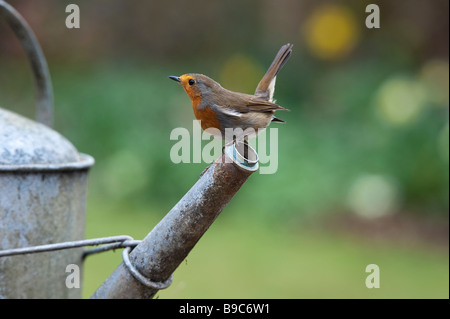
<point>220,109</point>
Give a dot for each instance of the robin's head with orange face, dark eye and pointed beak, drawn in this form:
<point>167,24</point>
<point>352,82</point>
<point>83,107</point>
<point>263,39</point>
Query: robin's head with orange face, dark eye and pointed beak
<point>196,85</point>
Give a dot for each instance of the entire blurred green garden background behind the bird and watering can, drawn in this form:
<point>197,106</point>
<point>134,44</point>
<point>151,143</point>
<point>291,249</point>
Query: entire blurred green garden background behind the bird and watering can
<point>363,171</point>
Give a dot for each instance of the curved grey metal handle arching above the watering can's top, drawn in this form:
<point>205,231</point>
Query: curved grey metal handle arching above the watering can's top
<point>44,98</point>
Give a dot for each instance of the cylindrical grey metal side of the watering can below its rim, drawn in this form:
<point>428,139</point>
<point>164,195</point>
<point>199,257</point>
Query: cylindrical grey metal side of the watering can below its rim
<point>40,208</point>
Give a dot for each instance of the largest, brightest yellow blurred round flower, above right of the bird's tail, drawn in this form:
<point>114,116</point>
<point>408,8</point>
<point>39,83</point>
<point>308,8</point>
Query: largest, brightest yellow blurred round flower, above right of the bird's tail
<point>331,32</point>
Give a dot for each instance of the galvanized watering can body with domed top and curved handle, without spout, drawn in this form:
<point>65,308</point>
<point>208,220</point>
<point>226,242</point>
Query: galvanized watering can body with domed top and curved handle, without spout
<point>43,188</point>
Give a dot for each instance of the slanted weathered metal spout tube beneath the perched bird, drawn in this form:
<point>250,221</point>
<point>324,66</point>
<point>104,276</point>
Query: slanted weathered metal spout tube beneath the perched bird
<point>169,243</point>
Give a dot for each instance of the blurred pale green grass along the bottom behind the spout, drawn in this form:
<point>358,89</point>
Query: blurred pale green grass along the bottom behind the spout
<point>240,257</point>
